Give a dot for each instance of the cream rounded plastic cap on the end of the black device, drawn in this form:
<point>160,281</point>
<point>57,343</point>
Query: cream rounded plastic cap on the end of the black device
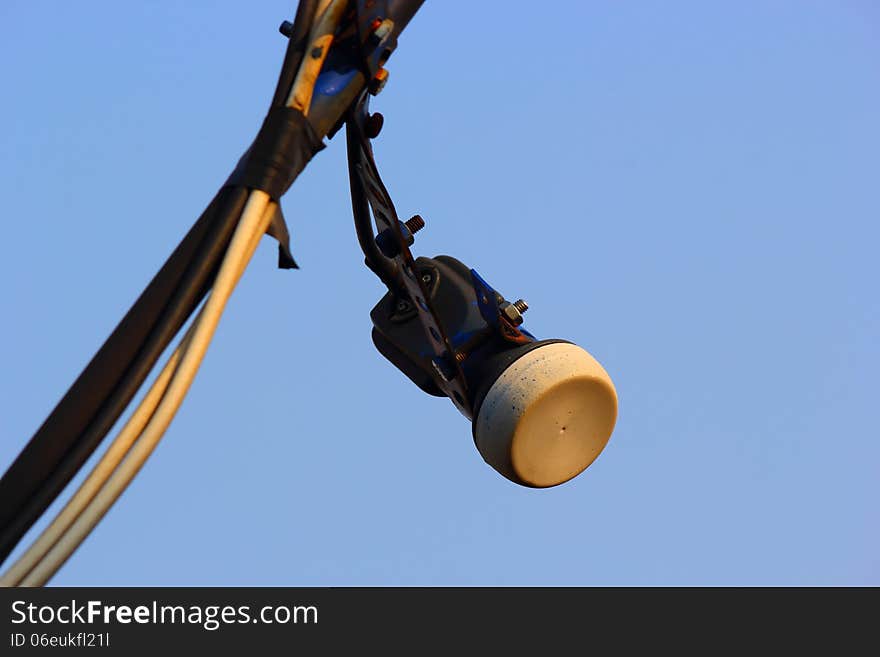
<point>547,416</point>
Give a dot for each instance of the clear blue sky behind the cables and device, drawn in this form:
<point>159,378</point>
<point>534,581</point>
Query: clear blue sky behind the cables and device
<point>689,190</point>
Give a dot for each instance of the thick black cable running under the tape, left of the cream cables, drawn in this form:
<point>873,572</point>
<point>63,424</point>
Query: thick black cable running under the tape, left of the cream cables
<point>98,397</point>
